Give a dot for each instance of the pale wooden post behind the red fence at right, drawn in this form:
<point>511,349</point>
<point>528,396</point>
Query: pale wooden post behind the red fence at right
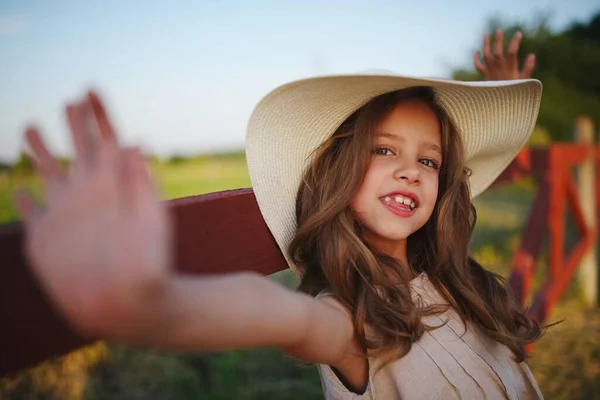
<point>586,186</point>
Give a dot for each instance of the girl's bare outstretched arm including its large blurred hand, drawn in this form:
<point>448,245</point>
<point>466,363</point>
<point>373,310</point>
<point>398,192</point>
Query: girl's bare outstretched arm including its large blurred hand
<point>101,248</point>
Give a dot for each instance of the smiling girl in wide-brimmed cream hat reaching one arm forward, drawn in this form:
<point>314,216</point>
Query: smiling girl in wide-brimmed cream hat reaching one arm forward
<point>366,184</point>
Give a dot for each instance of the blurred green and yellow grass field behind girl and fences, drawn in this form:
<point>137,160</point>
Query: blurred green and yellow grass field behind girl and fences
<point>566,362</point>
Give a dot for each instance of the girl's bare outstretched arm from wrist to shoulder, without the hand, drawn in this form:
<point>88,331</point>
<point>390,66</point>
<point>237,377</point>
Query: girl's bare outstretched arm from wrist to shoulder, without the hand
<point>246,310</point>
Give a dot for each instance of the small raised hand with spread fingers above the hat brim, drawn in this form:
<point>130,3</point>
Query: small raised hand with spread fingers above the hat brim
<point>497,67</point>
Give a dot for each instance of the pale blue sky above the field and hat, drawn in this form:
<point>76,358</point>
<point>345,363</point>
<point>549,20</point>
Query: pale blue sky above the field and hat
<point>182,77</point>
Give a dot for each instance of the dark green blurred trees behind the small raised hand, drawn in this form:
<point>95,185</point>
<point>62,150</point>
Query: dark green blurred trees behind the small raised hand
<point>567,63</point>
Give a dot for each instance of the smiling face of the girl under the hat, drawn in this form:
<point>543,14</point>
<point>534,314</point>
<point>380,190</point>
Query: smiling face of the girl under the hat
<point>399,191</point>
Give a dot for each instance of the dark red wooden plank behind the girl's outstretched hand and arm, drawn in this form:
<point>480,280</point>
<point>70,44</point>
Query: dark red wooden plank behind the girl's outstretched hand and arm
<point>220,232</point>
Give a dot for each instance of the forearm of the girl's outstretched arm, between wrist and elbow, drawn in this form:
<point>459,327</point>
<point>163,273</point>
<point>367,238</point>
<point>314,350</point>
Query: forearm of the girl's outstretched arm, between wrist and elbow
<point>226,312</point>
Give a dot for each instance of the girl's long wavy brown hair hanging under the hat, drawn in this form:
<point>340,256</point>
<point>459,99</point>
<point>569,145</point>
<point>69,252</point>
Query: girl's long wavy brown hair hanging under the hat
<point>331,253</point>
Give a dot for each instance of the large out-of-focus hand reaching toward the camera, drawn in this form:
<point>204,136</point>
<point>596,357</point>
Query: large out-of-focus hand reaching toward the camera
<point>101,245</point>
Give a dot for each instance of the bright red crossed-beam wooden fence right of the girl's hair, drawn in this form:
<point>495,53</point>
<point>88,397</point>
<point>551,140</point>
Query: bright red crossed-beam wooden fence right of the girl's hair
<point>552,168</point>
